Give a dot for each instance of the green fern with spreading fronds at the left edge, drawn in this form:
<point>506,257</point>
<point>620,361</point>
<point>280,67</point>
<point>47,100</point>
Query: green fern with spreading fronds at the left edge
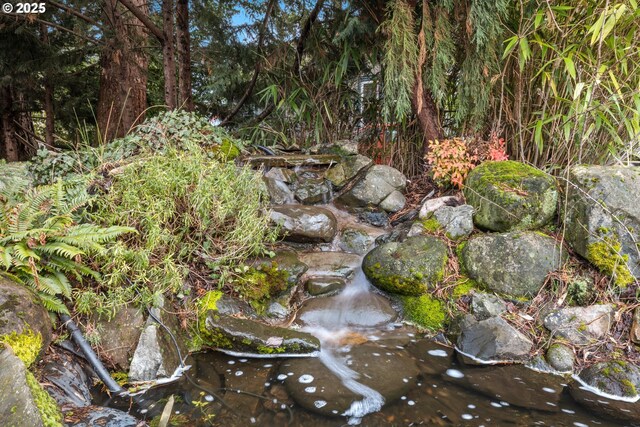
<point>42,246</point>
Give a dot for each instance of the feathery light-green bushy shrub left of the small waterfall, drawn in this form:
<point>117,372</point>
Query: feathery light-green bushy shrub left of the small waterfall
<point>189,211</point>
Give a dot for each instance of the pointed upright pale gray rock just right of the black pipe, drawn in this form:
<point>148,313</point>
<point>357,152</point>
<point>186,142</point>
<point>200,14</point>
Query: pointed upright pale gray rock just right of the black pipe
<point>156,355</point>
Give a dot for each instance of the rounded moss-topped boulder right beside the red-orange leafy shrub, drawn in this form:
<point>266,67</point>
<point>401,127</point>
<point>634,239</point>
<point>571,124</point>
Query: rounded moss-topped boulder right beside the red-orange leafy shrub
<point>510,195</point>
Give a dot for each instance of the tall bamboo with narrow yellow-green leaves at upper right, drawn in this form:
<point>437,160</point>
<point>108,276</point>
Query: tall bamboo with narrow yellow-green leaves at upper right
<point>572,78</point>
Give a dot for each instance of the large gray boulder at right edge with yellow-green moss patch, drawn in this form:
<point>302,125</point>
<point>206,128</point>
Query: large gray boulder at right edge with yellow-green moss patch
<point>602,218</point>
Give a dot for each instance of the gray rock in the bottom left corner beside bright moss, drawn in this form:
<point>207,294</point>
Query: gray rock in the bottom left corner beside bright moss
<point>17,406</point>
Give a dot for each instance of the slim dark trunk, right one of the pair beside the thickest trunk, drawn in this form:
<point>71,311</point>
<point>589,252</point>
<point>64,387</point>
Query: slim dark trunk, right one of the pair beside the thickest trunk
<point>184,54</point>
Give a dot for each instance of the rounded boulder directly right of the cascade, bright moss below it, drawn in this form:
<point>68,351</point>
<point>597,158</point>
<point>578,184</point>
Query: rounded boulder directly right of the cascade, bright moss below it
<point>407,268</point>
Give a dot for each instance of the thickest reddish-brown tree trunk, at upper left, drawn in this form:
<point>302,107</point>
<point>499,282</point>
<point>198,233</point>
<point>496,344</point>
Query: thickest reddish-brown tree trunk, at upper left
<point>122,99</point>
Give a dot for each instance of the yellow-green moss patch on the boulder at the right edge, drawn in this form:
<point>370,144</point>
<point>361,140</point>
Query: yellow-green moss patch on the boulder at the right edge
<point>605,255</point>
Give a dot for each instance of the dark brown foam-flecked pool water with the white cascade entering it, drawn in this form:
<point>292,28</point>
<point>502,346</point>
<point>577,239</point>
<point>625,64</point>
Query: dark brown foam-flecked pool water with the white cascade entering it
<point>371,371</point>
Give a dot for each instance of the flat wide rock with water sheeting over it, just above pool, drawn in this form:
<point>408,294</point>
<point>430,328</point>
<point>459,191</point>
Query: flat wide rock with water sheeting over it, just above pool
<point>368,311</point>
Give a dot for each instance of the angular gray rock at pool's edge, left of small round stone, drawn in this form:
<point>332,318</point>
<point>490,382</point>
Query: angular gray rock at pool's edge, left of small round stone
<point>493,339</point>
